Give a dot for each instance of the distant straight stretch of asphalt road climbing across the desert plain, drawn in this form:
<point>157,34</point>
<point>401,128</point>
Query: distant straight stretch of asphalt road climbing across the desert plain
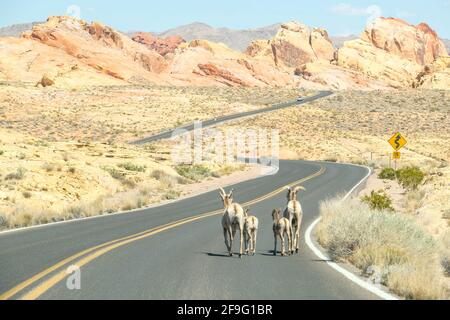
<point>214,122</point>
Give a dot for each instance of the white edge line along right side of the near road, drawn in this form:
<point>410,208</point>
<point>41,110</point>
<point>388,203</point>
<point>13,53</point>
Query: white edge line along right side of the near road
<point>349,275</point>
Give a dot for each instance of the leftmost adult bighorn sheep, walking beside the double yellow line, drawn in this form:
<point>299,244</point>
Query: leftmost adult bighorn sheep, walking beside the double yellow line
<point>233,219</point>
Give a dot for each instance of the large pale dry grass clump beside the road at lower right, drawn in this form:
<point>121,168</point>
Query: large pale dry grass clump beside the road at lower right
<point>405,255</point>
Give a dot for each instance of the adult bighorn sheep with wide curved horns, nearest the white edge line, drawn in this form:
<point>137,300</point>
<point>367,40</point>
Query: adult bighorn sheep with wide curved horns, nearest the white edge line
<point>294,214</point>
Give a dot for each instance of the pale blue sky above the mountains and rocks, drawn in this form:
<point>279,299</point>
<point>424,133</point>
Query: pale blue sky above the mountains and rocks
<point>338,17</point>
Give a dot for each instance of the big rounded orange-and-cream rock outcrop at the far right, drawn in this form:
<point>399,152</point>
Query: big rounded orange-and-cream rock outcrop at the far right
<point>395,52</point>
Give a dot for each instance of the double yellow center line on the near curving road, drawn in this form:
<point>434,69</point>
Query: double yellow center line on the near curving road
<point>36,290</point>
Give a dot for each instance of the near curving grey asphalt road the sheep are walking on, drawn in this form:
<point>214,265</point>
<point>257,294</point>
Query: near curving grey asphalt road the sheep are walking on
<point>176,251</point>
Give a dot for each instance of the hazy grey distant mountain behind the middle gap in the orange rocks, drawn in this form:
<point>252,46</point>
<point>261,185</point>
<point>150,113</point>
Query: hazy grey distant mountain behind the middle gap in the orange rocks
<point>235,39</point>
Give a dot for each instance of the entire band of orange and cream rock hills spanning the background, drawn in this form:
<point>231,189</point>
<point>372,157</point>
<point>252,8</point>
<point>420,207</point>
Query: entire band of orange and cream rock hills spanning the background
<point>67,52</point>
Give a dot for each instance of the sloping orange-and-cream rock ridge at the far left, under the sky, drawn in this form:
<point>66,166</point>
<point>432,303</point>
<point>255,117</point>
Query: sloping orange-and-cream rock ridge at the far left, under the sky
<point>100,47</point>
